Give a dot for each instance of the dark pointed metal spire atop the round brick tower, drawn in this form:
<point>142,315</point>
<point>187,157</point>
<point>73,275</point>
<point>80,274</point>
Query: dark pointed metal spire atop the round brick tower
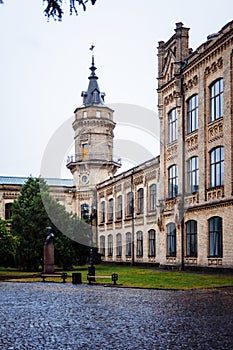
<point>93,96</point>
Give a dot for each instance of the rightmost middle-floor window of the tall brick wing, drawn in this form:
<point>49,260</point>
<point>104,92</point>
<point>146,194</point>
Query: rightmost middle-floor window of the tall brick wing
<point>217,167</point>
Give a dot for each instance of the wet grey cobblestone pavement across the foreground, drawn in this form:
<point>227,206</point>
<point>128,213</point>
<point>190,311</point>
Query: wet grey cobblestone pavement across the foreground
<point>58,316</point>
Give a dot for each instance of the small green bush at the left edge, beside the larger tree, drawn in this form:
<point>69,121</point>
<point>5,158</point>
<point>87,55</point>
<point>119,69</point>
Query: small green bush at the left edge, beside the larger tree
<point>8,245</point>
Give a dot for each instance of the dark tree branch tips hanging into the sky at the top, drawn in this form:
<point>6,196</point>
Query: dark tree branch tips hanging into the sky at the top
<point>53,8</point>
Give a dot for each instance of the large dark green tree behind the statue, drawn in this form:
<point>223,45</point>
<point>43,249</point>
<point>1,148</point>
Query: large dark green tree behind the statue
<point>35,210</point>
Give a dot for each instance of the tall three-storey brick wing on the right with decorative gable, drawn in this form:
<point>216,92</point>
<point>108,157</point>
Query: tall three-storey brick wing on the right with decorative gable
<point>195,111</point>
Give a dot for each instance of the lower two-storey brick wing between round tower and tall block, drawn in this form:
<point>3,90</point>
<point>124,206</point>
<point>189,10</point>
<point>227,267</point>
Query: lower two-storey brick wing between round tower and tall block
<point>127,208</point>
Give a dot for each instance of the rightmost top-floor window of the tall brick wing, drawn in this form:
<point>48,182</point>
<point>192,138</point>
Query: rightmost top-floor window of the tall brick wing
<point>216,100</point>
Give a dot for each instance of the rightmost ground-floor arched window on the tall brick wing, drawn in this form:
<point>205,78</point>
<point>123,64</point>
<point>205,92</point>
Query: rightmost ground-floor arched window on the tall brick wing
<point>215,237</point>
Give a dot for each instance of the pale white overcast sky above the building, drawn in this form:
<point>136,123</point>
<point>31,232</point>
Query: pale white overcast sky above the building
<point>45,65</point>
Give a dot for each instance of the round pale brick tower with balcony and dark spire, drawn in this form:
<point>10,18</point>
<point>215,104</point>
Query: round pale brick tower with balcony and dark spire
<point>93,127</point>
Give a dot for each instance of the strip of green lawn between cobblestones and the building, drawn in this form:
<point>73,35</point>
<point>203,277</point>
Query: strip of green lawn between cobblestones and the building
<point>143,277</point>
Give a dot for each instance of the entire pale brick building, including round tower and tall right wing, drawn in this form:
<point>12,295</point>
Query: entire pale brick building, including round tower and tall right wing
<point>175,210</point>
